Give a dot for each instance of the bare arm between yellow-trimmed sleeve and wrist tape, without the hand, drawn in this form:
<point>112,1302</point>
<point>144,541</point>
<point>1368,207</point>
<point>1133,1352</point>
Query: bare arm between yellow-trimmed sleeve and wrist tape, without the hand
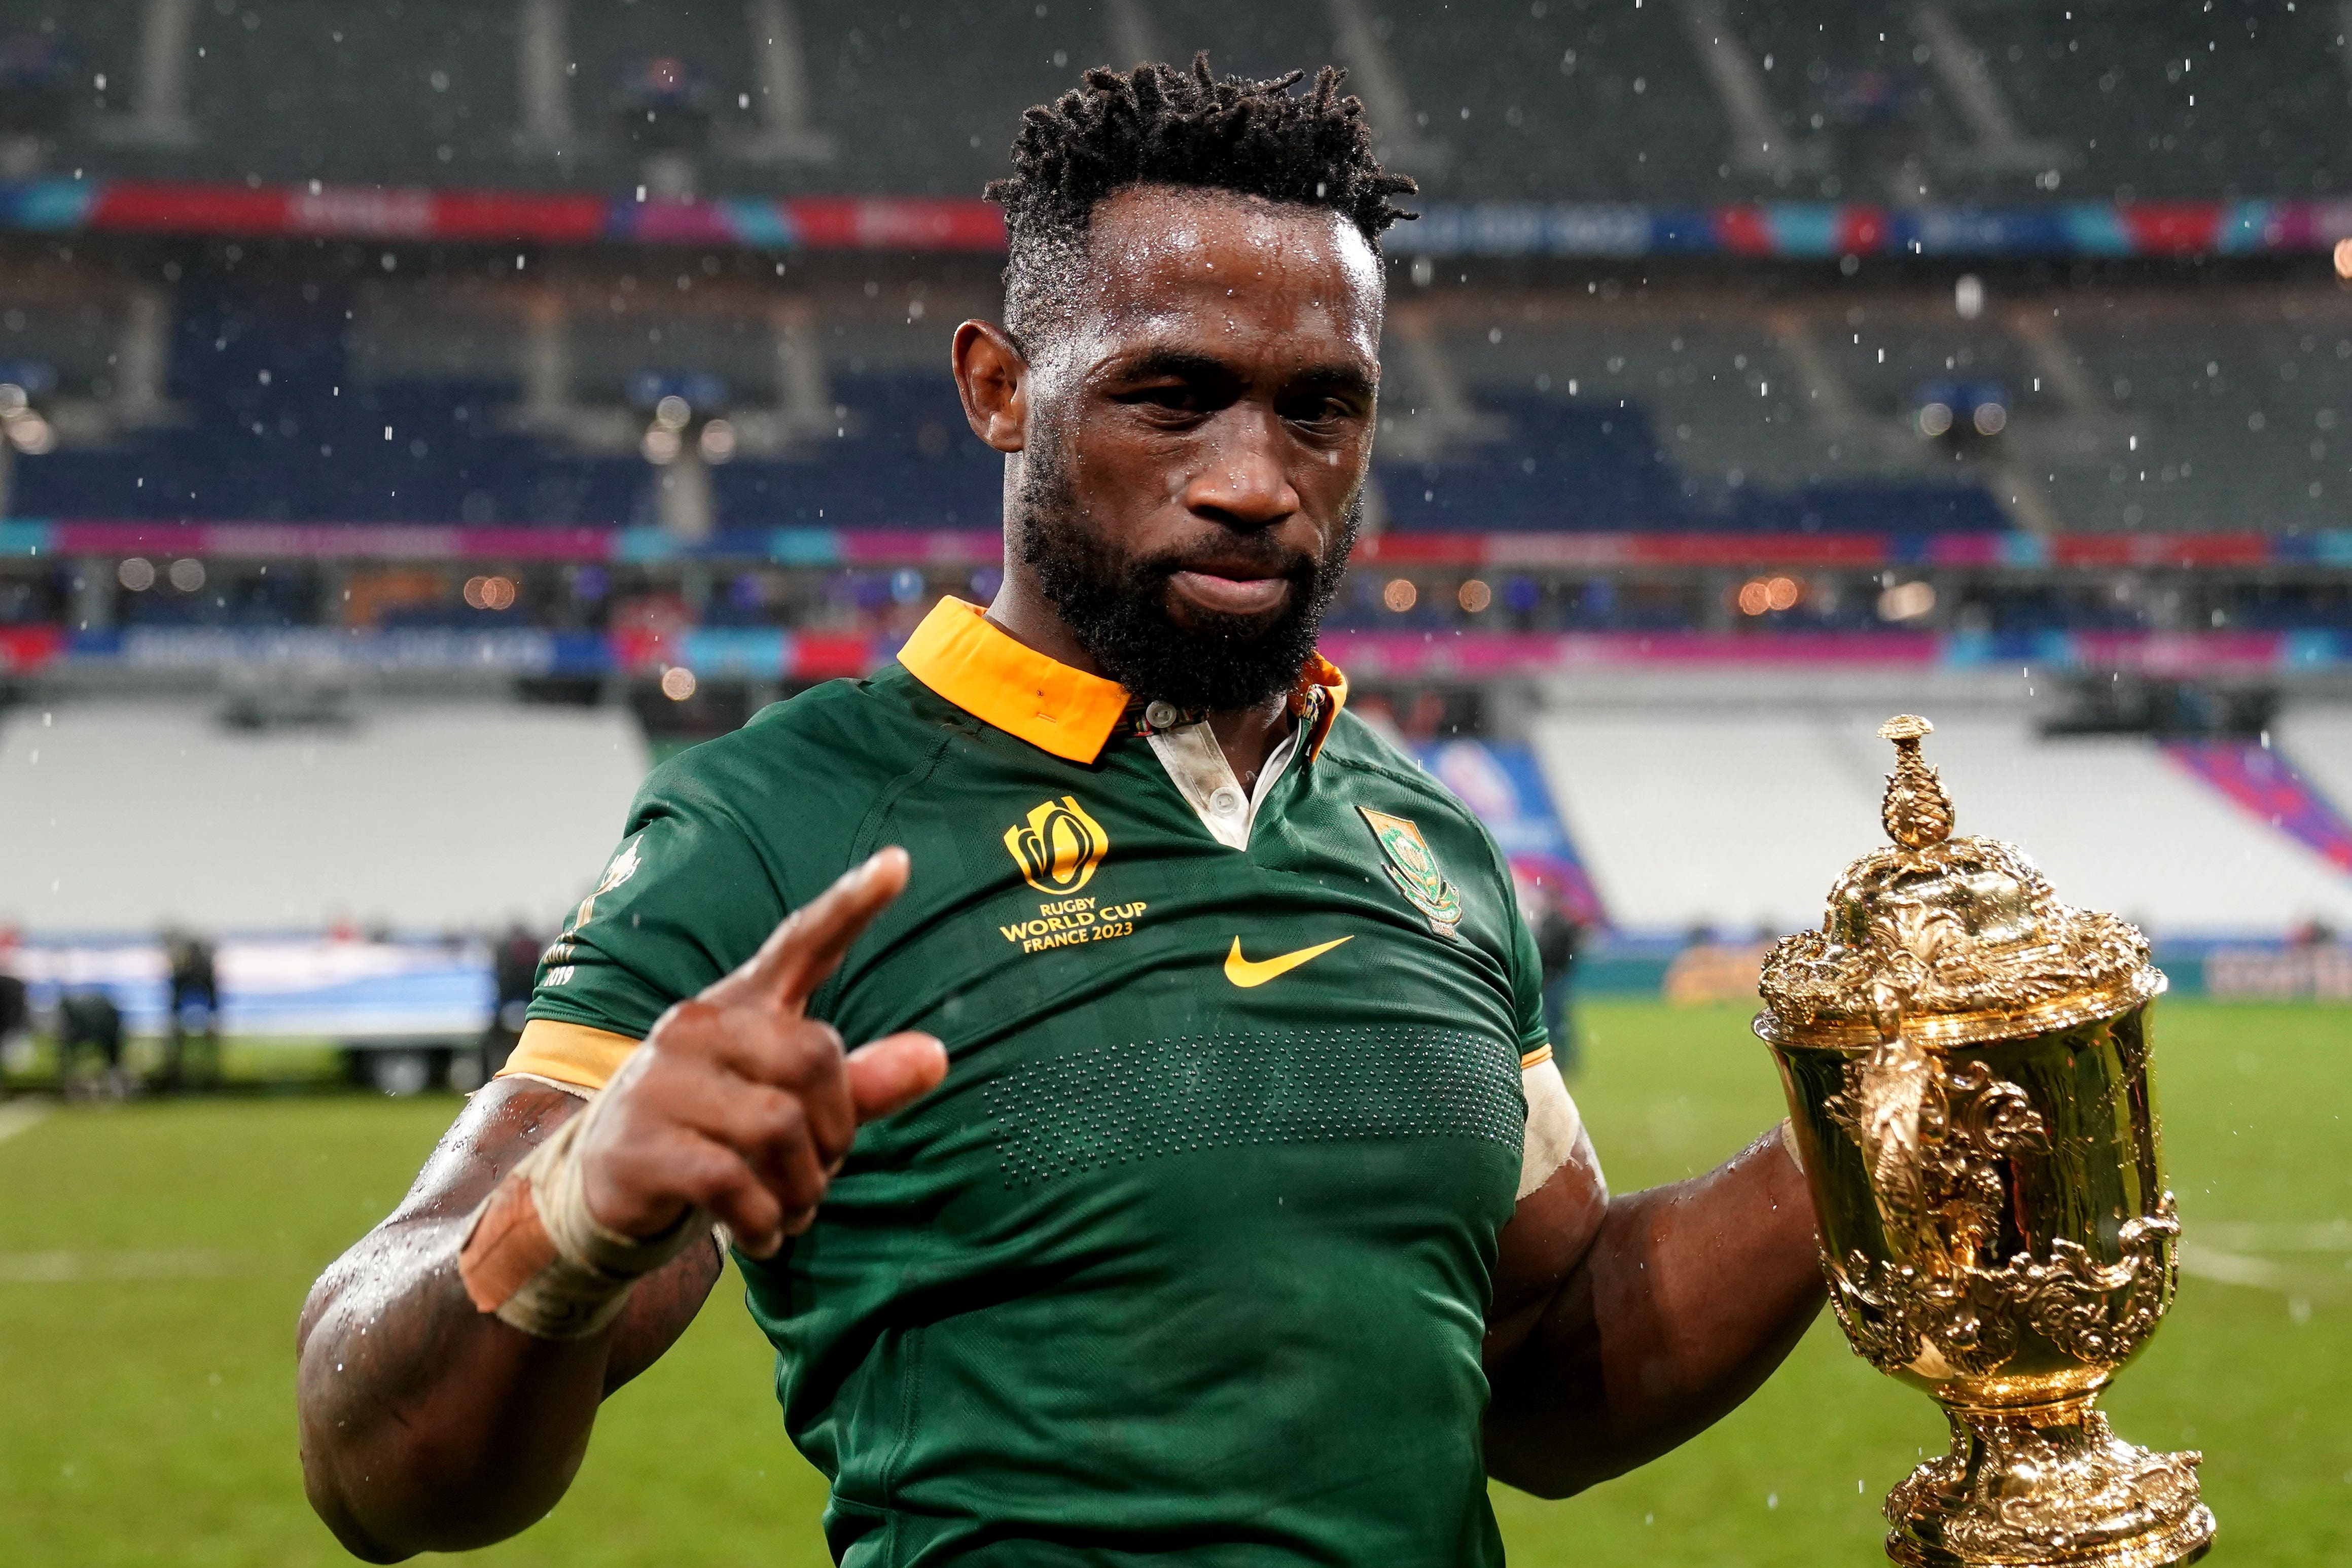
<point>434,1426</point>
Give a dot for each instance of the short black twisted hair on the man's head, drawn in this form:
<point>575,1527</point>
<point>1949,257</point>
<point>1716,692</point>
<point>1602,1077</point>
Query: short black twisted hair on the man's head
<point>1158,126</point>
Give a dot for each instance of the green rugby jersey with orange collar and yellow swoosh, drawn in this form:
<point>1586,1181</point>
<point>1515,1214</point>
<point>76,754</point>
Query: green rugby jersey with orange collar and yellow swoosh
<point>1191,1252</point>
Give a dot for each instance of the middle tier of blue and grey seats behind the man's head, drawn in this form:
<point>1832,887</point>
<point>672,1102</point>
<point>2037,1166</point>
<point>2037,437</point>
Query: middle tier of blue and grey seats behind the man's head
<point>229,398</point>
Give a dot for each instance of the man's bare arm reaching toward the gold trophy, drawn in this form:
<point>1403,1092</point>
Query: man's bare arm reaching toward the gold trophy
<point>1626,1327</point>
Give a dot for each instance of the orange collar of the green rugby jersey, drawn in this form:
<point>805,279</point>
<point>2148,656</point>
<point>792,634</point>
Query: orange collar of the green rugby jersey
<point>961,655</point>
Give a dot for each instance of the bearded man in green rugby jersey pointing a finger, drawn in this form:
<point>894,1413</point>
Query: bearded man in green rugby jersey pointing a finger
<point>1205,1191</point>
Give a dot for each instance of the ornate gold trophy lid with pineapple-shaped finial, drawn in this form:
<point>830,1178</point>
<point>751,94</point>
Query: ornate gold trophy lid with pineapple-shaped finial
<point>1946,942</point>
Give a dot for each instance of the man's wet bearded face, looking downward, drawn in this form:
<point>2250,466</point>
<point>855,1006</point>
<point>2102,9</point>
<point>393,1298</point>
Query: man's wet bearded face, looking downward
<point>1194,441</point>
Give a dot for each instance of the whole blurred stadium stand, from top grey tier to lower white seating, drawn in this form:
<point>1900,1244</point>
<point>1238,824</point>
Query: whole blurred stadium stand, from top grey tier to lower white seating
<point>596,354</point>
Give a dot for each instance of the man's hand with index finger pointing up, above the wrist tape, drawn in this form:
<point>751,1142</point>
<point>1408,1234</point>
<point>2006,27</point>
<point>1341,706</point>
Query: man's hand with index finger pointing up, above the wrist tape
<point>740,1101</point>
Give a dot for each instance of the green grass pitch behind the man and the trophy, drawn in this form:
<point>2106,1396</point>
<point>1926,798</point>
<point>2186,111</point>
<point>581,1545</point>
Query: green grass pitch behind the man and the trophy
<point>152,1261</point>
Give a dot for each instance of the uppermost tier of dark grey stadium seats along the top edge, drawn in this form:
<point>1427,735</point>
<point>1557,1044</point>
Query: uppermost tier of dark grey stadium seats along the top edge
<point>1506,100</point>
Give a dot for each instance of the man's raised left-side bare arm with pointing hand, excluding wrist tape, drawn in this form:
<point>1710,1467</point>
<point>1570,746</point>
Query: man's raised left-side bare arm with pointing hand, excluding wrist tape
<point>432,1426</point>
